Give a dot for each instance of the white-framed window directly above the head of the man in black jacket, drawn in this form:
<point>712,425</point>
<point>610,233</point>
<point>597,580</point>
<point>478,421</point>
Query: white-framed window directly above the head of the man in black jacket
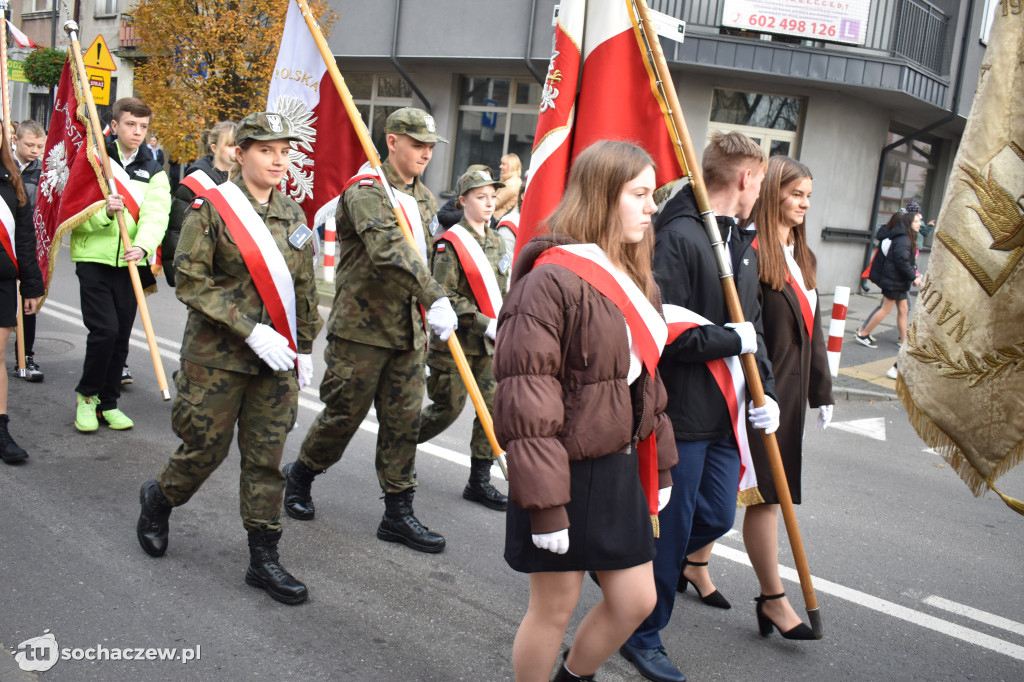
<point>772,121</point>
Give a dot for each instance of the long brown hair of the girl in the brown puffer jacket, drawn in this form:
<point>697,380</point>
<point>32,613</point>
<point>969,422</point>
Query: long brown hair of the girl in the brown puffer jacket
<point>589,210</point>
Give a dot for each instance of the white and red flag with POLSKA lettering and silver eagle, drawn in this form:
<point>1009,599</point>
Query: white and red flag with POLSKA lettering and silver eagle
<point>303,92</point>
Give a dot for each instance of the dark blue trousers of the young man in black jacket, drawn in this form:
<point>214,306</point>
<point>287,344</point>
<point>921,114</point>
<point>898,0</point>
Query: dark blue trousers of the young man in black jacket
<point>702,509</point>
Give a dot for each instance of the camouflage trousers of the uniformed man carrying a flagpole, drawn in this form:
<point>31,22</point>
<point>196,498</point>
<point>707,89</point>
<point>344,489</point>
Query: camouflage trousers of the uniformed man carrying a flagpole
<point>358,376</point>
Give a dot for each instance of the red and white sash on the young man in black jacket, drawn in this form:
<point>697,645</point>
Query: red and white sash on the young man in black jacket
<point>729,374</point>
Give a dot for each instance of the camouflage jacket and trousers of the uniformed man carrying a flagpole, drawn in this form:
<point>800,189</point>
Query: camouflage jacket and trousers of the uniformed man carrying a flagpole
<point>376,334</point>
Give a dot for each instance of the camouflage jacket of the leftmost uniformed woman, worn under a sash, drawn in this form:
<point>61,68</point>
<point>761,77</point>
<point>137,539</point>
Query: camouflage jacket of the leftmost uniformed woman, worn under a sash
<point>224,304</point>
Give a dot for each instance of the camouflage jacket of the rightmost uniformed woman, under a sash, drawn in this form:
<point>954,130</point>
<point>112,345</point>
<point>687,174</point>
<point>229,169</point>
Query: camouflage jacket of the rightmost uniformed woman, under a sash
<point>449,274</point>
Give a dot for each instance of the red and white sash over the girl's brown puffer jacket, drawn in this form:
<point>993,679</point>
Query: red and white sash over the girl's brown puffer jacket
<point>648,331</point>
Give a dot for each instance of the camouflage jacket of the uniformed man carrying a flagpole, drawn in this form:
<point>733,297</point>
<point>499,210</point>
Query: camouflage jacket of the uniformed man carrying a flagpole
<point>381,279</point>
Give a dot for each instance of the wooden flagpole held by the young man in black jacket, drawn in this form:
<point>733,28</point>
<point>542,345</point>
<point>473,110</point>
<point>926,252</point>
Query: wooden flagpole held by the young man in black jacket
<point>733,304</point>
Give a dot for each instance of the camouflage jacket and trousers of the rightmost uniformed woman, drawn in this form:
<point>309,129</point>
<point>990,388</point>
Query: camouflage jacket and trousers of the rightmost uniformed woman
<point>445,387</point>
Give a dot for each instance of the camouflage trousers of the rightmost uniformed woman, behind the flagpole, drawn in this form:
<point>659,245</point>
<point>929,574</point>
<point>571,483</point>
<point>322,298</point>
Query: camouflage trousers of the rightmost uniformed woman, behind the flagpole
<point>448,395</point>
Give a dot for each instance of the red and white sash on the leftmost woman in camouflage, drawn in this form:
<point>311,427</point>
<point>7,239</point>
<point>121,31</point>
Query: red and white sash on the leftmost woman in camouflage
<point>263,258</point>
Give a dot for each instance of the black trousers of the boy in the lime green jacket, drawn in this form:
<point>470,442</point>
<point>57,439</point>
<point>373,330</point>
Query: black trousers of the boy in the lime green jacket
<point>109,312</point>
